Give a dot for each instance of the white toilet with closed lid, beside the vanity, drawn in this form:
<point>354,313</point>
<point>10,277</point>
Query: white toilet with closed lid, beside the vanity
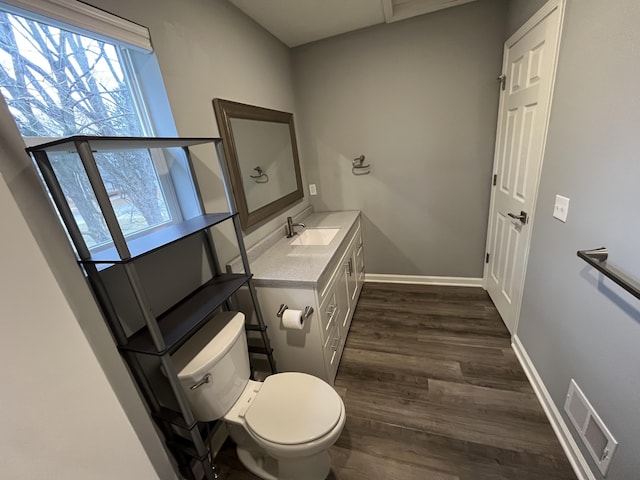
<point>283,427</point>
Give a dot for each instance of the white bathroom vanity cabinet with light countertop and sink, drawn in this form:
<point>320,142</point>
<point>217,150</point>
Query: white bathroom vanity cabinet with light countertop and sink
<point>321,267</point>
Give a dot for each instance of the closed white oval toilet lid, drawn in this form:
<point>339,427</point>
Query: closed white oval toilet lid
<point>293,408</point>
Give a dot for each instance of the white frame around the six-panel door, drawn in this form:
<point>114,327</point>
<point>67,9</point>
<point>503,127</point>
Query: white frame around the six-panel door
<point>536,18</point>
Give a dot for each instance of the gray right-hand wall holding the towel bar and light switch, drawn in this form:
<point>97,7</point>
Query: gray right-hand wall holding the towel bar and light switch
<point>574,324</point>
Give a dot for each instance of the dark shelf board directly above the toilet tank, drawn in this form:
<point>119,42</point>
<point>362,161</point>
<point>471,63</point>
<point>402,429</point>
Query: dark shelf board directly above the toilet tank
<point>180,322</point>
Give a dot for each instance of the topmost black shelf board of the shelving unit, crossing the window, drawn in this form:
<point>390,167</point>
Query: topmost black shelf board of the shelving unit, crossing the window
<point>112,144</point>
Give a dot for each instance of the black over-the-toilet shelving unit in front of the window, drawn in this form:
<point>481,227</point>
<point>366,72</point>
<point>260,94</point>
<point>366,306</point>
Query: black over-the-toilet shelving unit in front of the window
<point>148,348</point>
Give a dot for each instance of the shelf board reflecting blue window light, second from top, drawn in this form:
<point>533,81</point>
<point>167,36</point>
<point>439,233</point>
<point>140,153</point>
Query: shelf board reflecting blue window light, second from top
<point>152,241</point>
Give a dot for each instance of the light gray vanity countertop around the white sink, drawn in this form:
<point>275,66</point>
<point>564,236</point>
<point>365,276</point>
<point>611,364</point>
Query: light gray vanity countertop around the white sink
<point>283,264</point>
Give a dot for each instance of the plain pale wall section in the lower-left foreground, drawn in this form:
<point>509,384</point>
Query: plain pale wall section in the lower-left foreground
<point>59,416</point>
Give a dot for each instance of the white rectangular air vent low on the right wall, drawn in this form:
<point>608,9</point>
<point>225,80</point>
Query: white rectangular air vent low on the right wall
<point>593,432</point>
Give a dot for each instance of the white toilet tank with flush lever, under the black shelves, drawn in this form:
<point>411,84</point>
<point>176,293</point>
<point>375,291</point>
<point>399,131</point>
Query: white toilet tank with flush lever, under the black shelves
<point>218,349</point>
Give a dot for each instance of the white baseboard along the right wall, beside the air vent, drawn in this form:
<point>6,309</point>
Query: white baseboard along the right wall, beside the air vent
<point>570,447</point>
